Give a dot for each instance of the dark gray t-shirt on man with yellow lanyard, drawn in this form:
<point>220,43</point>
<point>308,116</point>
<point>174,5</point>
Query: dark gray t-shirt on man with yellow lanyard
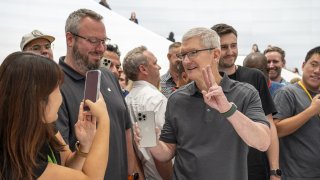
<point>299,151</point>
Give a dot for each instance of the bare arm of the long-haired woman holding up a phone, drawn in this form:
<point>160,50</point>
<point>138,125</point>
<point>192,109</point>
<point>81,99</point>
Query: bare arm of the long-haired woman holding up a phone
<point>97,158</point>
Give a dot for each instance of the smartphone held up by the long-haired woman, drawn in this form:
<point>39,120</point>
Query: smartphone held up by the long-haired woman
<point>92,86</point>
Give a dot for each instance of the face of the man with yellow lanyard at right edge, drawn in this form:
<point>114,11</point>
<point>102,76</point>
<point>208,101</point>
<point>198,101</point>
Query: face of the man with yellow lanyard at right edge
<point>311,73</point>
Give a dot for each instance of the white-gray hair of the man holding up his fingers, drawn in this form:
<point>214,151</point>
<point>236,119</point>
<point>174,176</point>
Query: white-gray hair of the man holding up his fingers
<point>209,38</point>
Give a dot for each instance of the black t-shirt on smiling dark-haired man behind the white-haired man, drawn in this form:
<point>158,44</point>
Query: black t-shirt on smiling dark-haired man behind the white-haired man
<point>258,167</point>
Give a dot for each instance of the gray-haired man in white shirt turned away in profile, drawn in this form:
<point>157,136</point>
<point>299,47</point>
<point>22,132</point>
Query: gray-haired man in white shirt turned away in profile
<point>140,66</point>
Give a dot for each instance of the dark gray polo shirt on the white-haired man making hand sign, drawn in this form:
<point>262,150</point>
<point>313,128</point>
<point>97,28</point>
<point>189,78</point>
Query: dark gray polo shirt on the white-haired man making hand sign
<point>207,145</point>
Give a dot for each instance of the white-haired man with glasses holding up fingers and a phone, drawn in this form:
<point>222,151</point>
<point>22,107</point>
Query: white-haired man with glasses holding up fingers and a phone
<point>211,122</point>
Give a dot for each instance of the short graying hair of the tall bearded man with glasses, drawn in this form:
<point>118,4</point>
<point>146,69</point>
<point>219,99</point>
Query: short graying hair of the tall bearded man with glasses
<point>73,21</point>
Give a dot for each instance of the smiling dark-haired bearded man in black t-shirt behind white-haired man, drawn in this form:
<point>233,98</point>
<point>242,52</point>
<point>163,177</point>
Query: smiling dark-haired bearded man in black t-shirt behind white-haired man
<point>257,161</point>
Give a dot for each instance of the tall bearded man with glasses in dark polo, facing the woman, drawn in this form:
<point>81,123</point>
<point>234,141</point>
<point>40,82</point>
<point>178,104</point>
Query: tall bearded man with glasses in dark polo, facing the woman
<point>86,38</point>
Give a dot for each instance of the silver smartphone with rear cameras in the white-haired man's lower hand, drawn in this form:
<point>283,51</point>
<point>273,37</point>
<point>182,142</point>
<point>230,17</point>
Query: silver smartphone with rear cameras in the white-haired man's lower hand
<point>146,123</point>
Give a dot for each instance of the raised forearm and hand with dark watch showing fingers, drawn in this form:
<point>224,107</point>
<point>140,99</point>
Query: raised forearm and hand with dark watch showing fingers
<point>254,134</point>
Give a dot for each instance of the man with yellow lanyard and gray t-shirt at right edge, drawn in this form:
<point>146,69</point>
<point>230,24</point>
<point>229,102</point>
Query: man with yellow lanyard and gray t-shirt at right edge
<point>298,122</point>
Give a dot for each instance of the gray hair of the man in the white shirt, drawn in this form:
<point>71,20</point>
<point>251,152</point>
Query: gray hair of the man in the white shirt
<point>133,60</point>
